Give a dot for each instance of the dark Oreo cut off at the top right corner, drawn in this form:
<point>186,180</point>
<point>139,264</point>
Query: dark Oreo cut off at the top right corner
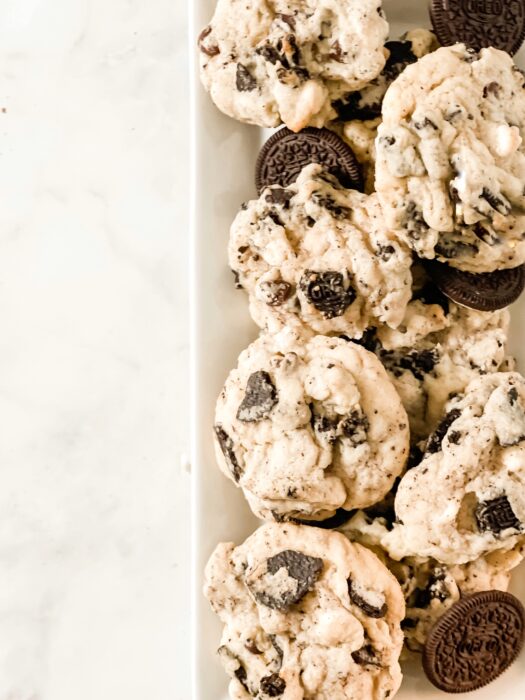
<point>480,23</point>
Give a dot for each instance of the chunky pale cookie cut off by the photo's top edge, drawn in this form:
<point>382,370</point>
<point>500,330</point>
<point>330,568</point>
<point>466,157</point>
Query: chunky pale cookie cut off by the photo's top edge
<point>286,61</point>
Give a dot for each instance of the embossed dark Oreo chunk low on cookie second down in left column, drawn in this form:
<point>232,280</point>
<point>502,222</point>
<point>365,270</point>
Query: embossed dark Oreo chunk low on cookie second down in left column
<point>326,291</point>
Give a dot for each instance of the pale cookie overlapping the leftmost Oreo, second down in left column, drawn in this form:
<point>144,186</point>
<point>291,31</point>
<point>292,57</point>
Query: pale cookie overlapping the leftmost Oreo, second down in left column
<point>321,255</point>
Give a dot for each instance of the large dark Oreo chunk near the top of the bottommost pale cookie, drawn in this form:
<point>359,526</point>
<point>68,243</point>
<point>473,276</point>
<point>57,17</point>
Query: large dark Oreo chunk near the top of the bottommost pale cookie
<point>301,567</point>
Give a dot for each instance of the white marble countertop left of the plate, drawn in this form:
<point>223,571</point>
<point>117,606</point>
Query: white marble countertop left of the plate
<point>93,230</point>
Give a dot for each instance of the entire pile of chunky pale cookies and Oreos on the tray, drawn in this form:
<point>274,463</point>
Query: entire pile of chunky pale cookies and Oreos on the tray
<point>377,425</point>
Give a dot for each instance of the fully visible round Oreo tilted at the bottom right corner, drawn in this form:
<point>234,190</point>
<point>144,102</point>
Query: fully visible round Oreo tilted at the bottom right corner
<point>477,639</point>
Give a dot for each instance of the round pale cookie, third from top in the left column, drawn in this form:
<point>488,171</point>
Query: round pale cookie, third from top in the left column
<point>307,425</point>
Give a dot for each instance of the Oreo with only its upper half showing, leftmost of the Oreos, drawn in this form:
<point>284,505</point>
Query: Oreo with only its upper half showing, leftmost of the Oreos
<point>286,153</point>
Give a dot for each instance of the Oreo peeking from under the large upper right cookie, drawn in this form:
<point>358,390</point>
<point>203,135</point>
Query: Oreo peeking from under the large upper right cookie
<point>488,291</point>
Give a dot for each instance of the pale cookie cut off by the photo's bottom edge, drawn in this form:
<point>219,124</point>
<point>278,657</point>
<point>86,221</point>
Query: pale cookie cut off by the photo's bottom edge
<point>306,613</point>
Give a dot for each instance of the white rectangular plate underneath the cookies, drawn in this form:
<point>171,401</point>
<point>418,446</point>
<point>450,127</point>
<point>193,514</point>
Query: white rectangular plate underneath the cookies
<point>224,153</point>
